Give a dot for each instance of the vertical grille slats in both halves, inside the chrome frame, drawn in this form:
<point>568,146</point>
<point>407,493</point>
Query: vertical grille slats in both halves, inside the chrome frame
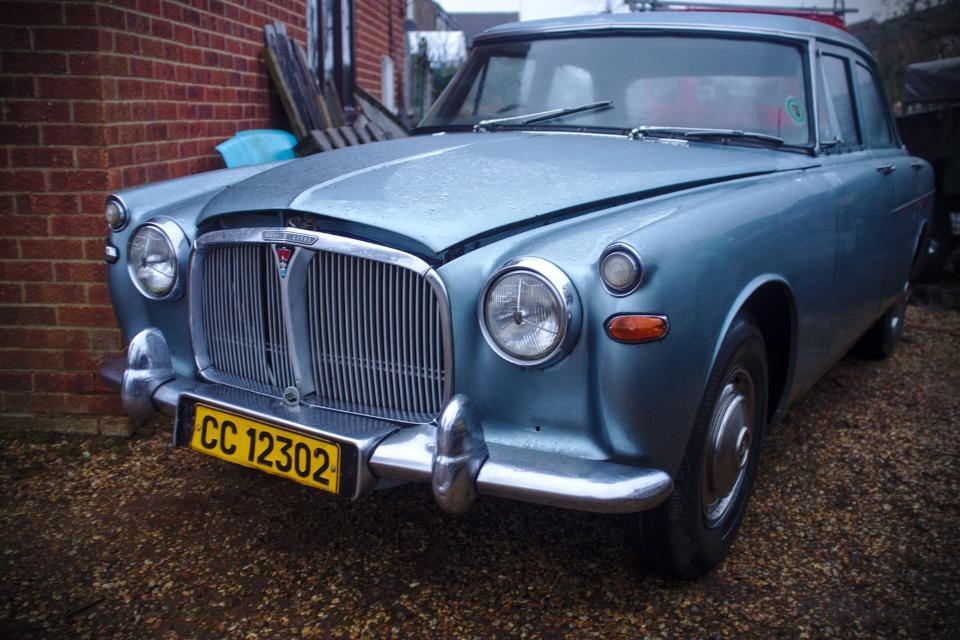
<point>374,329</point>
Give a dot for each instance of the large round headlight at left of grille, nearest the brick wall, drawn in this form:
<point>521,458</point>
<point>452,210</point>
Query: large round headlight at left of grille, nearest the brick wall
<point>153,261</point>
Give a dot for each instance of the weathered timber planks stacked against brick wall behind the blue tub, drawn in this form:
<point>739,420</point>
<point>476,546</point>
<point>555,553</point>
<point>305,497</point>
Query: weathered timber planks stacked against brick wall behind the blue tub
<point>315,114</point>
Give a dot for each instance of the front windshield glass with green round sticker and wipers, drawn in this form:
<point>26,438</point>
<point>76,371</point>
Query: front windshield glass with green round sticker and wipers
<point>669,81</point>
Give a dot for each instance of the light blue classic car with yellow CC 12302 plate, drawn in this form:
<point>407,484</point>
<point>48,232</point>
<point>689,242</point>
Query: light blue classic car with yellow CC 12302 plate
<point>617,250</point>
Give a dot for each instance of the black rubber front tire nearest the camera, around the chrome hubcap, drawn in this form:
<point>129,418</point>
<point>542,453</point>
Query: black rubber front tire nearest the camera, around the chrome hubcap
<point>680,537</point>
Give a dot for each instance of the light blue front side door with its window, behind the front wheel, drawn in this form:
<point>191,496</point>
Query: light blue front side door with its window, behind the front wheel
<point>861,199</point>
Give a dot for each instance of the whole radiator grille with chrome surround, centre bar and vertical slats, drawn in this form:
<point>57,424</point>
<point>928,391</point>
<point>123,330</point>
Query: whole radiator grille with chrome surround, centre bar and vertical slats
<point>354,326</point>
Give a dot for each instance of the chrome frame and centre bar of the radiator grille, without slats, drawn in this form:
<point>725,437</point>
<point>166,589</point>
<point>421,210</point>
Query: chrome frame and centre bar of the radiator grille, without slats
<point>313,241</point>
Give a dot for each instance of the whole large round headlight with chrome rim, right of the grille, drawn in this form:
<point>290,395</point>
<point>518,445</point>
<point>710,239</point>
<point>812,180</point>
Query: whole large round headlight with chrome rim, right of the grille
<point>530,312</point>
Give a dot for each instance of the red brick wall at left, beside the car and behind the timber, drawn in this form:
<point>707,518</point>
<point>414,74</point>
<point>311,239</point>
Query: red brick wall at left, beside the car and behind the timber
<point>94,97</point>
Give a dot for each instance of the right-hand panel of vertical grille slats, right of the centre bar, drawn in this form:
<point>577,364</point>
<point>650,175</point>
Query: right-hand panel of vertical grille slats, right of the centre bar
<point>374,335</point>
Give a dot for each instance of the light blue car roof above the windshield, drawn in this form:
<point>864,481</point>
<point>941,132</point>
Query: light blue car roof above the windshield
<point>736,22</point>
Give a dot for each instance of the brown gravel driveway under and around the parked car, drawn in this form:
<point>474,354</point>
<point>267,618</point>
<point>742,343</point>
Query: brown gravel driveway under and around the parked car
<point>853,531</point>
